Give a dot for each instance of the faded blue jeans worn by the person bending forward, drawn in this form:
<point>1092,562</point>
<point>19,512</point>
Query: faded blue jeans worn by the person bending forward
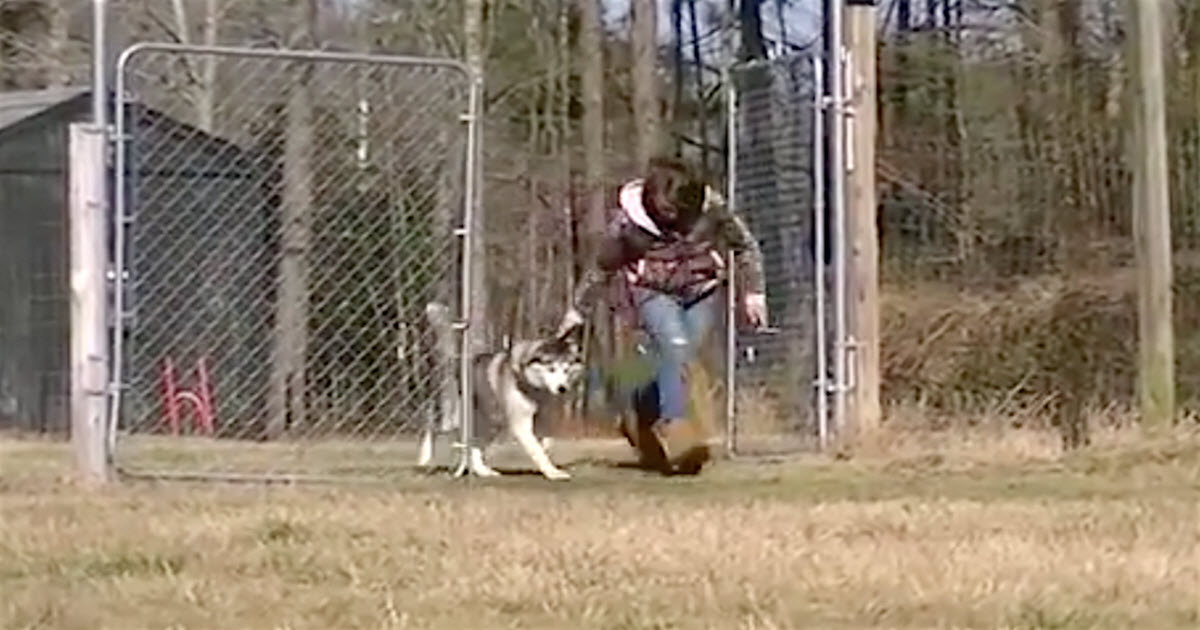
<point>676,333</point>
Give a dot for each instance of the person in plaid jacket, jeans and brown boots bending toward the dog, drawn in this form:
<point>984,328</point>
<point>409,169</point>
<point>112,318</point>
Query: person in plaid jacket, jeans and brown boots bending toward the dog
<point>668,241</point>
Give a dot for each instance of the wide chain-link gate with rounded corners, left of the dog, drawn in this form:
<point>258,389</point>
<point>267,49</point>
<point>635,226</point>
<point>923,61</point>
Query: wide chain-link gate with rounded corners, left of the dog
<point>283,220</point>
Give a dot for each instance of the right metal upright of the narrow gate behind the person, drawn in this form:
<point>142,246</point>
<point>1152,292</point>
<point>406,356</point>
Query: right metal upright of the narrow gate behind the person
<point>819,249</point>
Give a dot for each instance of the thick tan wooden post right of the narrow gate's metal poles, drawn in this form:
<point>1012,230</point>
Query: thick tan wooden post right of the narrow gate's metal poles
<point>863,404</point>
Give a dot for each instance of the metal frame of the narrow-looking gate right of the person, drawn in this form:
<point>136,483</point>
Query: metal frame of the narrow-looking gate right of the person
<point>823,385</point>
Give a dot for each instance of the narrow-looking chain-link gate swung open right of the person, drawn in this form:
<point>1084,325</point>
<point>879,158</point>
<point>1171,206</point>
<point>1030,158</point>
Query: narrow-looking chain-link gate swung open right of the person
<point>776,181</point>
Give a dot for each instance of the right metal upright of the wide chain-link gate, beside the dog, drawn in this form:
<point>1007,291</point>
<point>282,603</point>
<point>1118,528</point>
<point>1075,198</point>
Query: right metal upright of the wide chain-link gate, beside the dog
<point>466,410</point>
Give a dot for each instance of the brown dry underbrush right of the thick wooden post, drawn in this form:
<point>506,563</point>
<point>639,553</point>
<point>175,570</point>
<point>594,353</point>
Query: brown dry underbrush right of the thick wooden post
<point>1030,350</point>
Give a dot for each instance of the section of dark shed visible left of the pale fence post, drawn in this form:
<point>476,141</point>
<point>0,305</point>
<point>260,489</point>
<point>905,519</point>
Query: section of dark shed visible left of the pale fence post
<point>34,262</point>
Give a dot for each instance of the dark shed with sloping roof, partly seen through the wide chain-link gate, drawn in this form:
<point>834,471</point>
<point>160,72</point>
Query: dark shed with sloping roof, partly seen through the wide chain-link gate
<point>34,257</point>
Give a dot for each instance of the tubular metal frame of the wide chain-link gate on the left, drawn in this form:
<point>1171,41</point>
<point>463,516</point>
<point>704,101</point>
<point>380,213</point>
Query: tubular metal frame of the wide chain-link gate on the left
<point>122,220</point>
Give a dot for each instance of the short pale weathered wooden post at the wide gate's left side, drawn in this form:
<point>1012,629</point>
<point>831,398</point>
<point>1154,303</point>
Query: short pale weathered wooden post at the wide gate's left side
<point>89,347</point>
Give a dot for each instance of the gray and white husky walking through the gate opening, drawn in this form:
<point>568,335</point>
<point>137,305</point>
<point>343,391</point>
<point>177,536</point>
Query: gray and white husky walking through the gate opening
<point>512,389</point>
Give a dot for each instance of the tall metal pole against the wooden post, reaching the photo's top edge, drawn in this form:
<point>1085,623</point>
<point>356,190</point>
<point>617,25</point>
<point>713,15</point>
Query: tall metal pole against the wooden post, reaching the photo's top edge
<point>838,199</point>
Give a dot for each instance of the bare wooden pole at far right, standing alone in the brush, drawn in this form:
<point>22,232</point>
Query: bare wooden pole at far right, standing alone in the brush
<point>1153,218</point>
